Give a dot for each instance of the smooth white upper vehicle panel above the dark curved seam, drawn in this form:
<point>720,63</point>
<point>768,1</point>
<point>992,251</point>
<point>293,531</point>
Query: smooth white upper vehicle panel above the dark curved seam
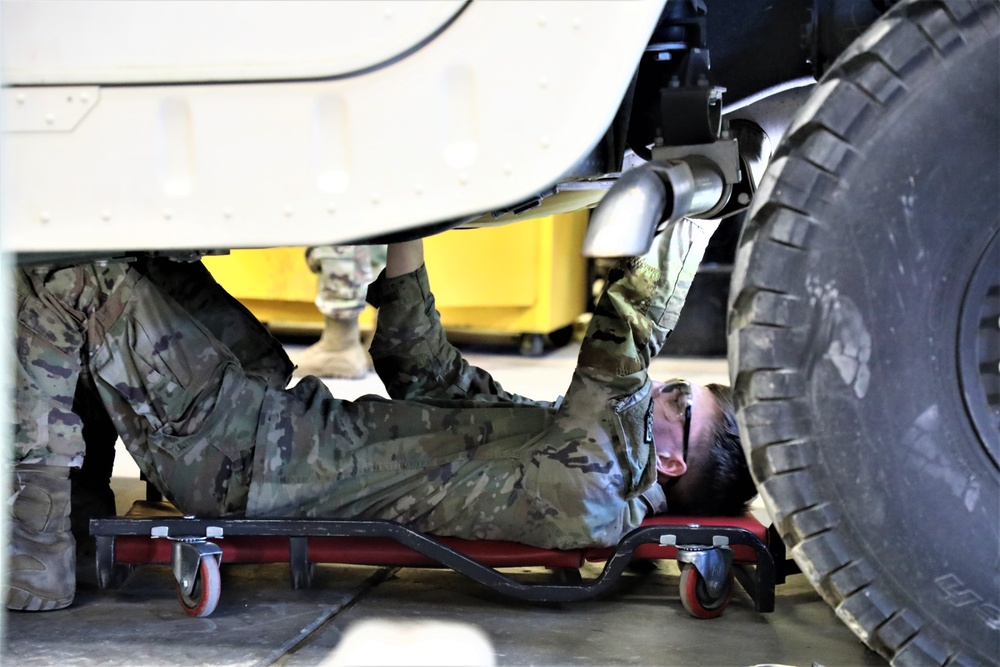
<point>163,41</point>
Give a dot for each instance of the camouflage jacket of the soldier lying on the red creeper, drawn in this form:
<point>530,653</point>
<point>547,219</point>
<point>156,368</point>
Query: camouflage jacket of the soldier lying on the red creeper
<point>453,453</point>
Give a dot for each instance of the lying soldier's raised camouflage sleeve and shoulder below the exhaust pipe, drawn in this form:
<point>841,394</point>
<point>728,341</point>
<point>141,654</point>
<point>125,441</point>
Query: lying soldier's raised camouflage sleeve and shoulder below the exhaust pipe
<point>593,475</point>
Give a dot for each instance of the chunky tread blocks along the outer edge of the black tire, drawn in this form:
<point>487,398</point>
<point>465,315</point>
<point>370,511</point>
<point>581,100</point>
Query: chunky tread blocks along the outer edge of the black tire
<point>767,319</point>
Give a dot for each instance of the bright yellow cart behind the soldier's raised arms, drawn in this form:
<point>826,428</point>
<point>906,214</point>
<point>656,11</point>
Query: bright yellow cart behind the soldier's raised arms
<point>526,280</point>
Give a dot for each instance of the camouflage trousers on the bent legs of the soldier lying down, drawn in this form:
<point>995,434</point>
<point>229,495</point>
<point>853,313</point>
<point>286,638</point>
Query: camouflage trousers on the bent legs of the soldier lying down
<point>115,330</point>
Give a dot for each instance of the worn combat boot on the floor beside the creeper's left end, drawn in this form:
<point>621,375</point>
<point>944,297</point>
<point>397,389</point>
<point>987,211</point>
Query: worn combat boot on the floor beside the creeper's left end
<point>42,571</point>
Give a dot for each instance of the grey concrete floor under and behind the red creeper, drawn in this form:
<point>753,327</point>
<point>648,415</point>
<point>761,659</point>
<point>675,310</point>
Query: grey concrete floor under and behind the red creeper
<point>262,621</point>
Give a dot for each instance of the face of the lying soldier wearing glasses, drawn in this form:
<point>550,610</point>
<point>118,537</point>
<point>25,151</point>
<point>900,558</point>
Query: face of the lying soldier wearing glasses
<point>670,400</point>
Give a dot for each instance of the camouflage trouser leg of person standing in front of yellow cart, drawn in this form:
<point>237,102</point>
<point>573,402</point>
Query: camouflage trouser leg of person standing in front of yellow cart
<point>344,273</point>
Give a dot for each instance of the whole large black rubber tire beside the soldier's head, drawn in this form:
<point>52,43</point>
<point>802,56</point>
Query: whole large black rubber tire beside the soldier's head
<point>864,341</point>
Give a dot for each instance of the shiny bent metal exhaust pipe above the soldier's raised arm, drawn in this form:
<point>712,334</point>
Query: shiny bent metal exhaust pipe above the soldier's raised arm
<point>626,220</point>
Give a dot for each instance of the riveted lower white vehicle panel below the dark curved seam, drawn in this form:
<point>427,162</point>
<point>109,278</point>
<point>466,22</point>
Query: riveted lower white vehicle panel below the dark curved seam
<point>491,111</point>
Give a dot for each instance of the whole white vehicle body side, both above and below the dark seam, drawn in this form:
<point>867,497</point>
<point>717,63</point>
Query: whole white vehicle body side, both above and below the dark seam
<point>194,125</point>
